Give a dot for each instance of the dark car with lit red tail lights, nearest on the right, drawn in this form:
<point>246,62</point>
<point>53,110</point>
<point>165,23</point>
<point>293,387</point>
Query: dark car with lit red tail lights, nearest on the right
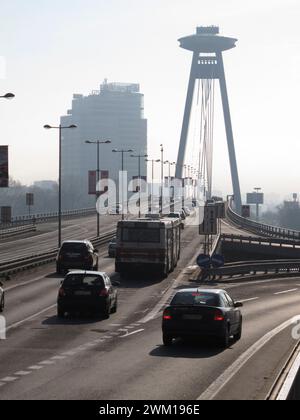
<point>202,313</point>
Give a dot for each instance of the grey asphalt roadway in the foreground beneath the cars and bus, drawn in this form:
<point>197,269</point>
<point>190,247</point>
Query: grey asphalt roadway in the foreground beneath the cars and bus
<point>123,357</point>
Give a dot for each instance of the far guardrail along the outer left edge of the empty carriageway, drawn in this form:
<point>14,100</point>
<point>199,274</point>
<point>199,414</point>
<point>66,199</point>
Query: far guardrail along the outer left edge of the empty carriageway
<point>46,217</point>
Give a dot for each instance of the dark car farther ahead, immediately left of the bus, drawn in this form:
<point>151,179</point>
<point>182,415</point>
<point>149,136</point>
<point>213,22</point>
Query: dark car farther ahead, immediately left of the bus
<point>76,255</point>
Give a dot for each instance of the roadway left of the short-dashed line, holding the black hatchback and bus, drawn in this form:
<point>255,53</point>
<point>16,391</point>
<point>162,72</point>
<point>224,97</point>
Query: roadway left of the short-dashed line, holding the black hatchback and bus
<point>29,297</point>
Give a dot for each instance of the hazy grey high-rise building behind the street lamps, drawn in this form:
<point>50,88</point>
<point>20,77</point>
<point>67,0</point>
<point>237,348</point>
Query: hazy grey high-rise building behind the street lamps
<point>115,113</point>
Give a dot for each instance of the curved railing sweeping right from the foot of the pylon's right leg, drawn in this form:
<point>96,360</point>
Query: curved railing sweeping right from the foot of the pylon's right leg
<point>261,228</point>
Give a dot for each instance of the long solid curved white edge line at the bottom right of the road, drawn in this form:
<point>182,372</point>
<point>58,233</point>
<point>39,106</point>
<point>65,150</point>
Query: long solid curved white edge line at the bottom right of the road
<point>214,389</point>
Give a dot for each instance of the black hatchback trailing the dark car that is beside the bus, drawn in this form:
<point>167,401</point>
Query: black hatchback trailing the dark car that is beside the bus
<point>87,291</point>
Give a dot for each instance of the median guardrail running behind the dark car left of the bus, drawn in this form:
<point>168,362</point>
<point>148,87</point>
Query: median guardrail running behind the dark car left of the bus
<point>13,266</point>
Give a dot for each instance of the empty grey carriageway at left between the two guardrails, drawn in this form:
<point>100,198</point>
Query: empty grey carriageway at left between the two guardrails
<point>46,237</point>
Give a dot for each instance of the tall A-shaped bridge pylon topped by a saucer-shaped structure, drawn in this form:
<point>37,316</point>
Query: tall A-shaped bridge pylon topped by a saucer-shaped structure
<point>207,47</point>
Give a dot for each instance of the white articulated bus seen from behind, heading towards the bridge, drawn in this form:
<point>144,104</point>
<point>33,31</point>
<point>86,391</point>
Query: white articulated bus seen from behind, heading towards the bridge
<point>148,245</point>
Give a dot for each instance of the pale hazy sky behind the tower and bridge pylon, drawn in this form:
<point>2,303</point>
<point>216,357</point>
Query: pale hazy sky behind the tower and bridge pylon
<point>53,49</point>
